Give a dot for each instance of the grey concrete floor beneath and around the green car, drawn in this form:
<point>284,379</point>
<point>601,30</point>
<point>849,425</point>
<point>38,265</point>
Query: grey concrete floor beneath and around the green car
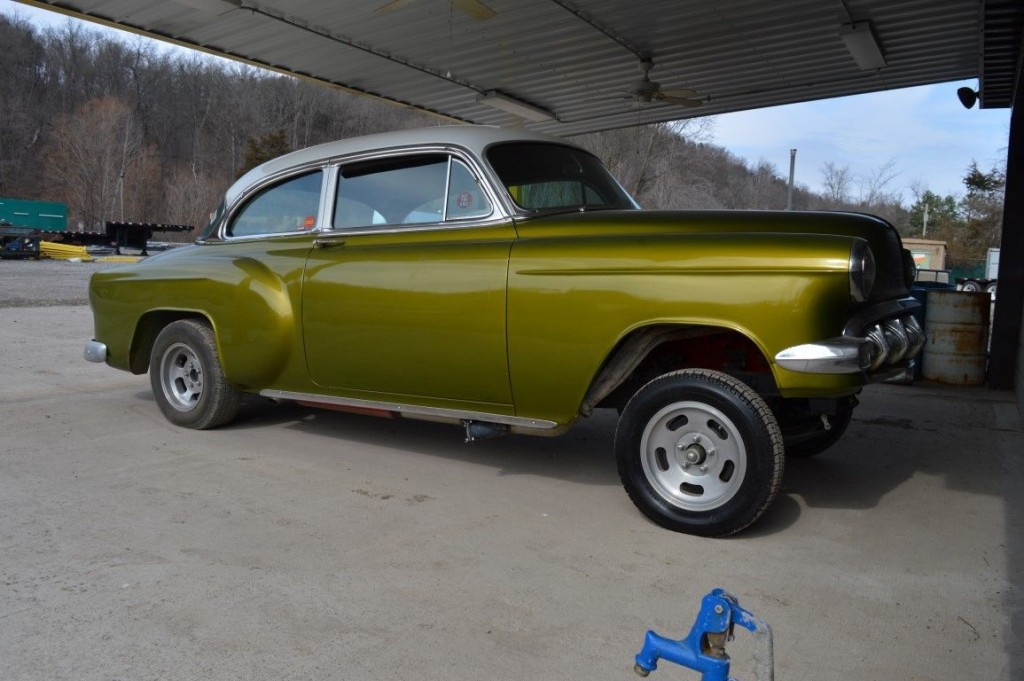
<point>308,545</point>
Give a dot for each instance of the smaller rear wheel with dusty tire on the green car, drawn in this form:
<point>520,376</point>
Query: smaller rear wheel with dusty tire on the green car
<point>188,379</point>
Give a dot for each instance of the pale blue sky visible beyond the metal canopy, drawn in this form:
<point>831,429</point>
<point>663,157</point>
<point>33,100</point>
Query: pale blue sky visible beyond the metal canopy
<point>925,132</point>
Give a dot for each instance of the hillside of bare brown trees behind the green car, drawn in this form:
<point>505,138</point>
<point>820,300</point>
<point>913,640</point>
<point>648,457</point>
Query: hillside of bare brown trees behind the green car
<point>122,132</point>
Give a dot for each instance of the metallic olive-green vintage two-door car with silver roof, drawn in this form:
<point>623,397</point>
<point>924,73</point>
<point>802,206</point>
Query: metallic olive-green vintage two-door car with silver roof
<point>504,281</point>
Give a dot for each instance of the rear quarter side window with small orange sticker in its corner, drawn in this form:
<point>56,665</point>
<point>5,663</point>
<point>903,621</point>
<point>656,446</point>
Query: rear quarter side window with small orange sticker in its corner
<point>289,206</point>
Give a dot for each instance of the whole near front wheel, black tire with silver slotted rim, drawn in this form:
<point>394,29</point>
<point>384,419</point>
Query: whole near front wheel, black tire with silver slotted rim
<point>699,452</point>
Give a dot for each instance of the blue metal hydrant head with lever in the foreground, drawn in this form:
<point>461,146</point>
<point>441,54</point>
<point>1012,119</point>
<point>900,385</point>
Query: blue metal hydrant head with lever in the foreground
<point>704,649</point>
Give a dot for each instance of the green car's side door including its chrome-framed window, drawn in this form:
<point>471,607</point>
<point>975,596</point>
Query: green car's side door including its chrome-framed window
<point>404,299</point>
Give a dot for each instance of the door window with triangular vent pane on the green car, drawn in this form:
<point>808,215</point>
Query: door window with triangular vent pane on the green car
<point>417,190</point>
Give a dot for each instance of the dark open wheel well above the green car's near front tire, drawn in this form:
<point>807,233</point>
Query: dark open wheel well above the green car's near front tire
<point>653,352</point>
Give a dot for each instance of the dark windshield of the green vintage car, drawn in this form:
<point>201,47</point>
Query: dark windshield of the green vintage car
<point>543,178</point>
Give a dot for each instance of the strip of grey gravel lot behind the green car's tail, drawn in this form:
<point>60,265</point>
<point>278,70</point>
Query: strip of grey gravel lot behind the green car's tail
<point>48,283</point>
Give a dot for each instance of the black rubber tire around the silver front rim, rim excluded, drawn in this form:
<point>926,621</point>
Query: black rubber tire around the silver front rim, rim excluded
<point>762,447</point>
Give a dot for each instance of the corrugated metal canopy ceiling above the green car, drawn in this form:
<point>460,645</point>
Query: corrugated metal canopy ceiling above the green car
<point>581,61</point>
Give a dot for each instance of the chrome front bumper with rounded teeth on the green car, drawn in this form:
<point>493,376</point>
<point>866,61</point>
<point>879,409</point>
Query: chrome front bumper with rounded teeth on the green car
<point>885,346</point>
